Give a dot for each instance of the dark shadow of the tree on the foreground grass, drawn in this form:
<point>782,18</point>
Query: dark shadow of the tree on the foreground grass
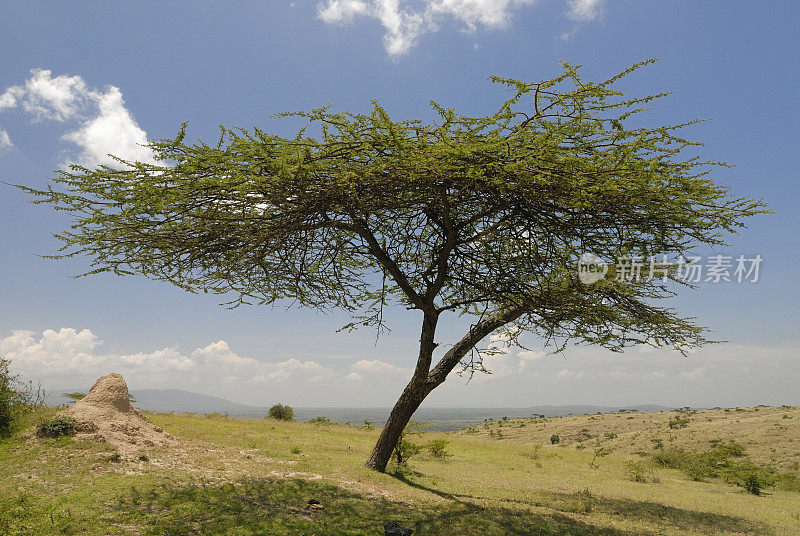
<point>275,506</point>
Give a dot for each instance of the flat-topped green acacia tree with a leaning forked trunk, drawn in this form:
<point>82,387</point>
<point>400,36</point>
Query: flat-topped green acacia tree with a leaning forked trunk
<point>481,217</point>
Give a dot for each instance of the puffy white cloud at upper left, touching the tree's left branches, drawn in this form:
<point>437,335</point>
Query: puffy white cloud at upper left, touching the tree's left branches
<point>105,125</point>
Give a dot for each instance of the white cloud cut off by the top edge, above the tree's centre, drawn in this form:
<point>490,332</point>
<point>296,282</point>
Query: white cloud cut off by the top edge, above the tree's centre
<point>403,25</point>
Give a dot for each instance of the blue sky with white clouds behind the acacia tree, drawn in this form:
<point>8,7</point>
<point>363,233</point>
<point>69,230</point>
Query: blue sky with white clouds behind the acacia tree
<point>124,72</point>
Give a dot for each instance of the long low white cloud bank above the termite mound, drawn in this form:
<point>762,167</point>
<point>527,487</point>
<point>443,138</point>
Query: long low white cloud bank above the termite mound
<point>69,353</point>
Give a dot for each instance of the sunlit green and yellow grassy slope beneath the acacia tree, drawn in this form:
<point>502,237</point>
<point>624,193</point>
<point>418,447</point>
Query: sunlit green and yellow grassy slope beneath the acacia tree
<point>234,476</point>
